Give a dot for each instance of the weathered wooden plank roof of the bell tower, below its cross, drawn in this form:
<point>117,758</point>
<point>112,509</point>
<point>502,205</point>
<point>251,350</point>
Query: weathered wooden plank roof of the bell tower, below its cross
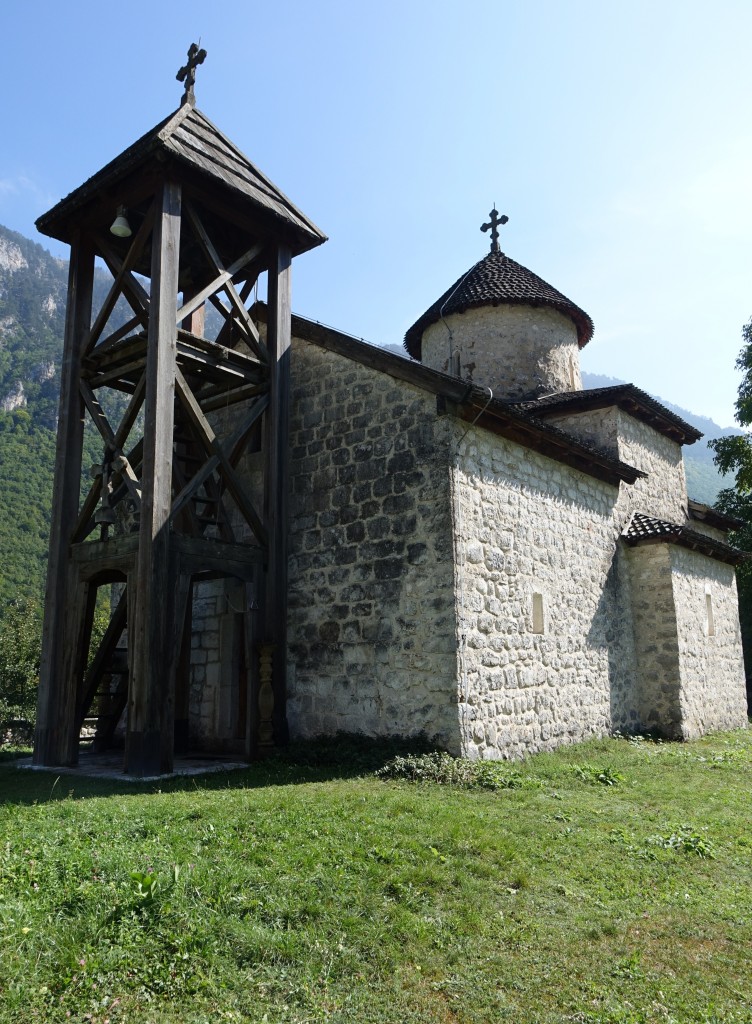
<point>190,139</point>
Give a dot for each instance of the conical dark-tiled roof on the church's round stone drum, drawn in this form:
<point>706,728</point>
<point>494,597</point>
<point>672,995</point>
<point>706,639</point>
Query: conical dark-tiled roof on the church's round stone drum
<point>496,280</point>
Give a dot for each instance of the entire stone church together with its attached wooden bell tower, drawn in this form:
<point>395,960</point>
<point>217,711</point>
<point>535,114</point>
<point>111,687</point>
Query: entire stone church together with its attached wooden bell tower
<point>477,549</point>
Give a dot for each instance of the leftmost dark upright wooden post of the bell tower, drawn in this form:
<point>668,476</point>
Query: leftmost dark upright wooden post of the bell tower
<point>57,743</point>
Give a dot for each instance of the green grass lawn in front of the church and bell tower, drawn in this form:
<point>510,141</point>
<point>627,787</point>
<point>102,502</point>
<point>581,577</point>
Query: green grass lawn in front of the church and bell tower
<point>608,882</point>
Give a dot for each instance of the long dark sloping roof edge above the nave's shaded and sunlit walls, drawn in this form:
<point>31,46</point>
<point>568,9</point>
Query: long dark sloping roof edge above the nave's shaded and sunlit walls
<point>469,403</point>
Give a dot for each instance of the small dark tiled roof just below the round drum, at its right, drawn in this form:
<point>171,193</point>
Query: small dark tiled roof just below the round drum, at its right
<point>628,398</point>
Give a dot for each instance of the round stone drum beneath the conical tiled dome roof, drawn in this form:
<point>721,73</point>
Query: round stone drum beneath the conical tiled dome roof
<point>515,350</point>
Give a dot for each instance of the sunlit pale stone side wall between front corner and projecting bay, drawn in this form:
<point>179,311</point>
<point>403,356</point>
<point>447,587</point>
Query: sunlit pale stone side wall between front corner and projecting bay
<point>534,558</point>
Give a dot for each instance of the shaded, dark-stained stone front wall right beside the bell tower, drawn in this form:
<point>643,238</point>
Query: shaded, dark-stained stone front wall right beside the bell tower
<point>372,632</point>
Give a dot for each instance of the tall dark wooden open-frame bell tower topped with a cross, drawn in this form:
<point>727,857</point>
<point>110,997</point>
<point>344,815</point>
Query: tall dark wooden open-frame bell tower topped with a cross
<point>182,220</point>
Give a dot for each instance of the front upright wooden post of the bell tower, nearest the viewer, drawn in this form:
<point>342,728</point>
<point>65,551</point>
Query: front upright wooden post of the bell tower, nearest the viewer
<point>150,743</point>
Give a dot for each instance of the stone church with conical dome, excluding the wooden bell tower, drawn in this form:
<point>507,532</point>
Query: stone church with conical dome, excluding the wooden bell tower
<point>482,551</point>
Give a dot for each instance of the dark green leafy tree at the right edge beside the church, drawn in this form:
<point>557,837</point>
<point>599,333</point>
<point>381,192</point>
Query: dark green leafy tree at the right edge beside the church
<point>734,455</point>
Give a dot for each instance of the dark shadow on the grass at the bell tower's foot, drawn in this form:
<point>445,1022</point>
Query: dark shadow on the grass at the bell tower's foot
<point>341,757</point>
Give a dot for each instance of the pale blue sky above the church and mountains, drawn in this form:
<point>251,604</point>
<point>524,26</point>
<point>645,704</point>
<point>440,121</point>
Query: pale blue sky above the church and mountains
<point>616,138</point>
